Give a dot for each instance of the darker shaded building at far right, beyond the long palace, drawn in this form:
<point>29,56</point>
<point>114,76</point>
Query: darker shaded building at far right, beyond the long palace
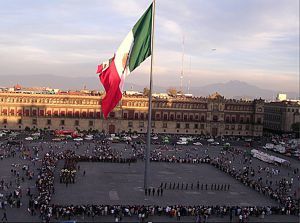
<point>280,116</point>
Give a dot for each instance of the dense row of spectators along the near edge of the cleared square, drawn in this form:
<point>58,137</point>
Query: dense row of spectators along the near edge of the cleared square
<point>142,212</point>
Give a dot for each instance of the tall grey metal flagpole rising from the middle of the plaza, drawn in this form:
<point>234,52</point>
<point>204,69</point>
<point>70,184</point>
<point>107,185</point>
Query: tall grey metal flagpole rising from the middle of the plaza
<point>148,147</point>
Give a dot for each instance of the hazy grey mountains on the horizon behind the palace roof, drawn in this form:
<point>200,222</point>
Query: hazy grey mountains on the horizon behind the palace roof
<point>231,89</point>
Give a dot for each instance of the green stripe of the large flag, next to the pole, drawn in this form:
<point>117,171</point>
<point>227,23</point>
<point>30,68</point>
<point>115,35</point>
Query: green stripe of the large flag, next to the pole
<point>141,48</point>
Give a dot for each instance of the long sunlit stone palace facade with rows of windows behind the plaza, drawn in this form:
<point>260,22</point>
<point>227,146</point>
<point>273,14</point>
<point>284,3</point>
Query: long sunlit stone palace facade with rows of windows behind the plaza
<point>214,115</point>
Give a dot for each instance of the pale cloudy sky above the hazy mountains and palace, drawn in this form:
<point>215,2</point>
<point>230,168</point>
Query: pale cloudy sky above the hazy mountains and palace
<point>255,41</point>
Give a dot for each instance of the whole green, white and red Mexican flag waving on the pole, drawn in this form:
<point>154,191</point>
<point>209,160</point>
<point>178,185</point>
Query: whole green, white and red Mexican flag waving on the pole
<point>134,49</point>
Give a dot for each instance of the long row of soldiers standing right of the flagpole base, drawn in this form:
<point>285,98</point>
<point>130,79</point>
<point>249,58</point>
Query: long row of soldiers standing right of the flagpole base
<point>186,186</point>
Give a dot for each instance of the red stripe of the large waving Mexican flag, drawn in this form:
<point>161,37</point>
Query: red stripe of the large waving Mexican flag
<point>110,79</point>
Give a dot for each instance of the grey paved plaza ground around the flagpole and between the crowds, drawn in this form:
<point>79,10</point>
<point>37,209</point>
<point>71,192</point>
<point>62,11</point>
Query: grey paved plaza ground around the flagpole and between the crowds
<point>122,183</point>
